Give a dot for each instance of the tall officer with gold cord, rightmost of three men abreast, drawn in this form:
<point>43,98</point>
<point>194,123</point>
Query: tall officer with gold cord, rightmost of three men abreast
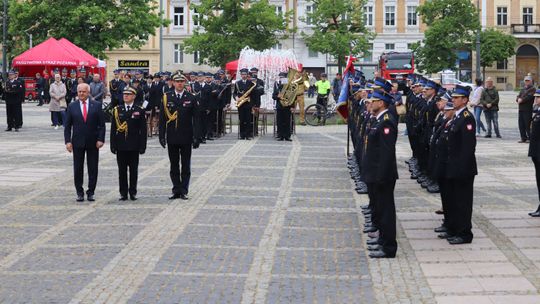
<point>179,129</point>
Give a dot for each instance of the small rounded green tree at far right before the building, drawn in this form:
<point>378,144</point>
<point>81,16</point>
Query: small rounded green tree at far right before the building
<point>495,46</point>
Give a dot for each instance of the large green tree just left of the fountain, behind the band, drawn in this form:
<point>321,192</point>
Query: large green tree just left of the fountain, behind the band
<point>227,26</point>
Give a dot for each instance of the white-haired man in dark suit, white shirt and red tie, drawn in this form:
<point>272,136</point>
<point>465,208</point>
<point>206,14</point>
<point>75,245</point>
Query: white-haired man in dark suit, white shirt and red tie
<point>87,120</point>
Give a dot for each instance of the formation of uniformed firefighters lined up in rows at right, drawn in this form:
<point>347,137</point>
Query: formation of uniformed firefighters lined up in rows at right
<point>441,133</point>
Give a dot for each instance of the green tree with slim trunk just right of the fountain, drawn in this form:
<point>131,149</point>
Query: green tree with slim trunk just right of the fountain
<point>338,29</point>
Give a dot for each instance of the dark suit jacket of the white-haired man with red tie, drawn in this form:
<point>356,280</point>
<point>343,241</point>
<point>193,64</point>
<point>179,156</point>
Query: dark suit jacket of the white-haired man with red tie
<point>85,134</point>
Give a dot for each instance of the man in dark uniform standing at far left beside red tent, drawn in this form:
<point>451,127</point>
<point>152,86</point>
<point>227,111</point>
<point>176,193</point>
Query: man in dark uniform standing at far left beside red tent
<point>13,92</point>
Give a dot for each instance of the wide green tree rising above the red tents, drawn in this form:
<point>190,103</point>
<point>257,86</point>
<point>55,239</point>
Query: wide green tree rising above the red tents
<point>95,25</point>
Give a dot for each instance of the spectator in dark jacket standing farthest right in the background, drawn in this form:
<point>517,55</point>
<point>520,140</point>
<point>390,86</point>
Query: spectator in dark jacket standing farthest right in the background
<point>525,103</point>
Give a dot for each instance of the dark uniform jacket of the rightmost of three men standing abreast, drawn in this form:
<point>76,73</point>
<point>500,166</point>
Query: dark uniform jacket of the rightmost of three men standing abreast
<point>186,128</point>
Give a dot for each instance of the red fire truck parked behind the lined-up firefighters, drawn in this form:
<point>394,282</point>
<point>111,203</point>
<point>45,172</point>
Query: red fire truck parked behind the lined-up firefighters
<point>396,65</point>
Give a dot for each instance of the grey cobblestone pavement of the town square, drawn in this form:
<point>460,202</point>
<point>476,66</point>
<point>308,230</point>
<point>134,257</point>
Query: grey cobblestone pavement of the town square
<point>267,222</point>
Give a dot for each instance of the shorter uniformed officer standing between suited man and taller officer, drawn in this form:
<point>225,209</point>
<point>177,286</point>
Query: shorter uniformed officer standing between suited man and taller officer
<point>128,140</point>
